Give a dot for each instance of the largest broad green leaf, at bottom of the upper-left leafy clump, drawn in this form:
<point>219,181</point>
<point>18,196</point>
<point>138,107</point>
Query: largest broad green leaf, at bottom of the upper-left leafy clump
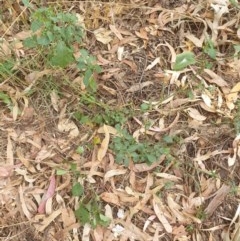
<point>63,55</point>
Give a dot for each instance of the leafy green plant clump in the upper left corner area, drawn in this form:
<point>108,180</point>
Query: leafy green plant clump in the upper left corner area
<point>54,35</point>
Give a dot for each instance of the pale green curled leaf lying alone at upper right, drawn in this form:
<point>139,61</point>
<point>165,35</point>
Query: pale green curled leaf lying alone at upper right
<point>183,60</point>
